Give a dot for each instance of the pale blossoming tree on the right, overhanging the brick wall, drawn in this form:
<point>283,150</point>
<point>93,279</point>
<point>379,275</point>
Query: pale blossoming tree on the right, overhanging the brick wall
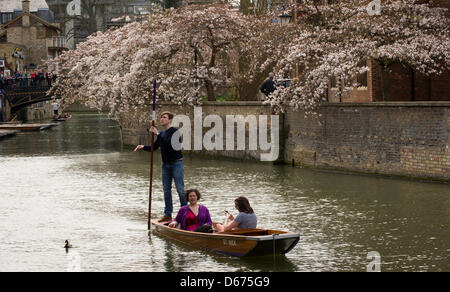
<point>334,41</point>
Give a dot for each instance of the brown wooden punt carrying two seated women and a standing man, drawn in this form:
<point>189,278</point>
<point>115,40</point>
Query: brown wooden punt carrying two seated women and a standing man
<point>239,243</point>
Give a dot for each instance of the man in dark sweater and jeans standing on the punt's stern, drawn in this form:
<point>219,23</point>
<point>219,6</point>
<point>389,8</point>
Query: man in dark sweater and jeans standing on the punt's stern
<point>172,167</point>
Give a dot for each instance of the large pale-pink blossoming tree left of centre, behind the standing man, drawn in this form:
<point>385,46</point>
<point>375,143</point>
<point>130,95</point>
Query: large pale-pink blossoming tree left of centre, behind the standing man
<point>189,51</point>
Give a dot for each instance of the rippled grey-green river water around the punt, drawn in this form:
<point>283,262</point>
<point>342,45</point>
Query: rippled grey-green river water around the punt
<point>76,181</point>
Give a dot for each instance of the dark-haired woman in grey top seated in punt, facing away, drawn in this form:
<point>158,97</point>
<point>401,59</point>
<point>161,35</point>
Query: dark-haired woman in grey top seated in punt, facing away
<point>245,219</point>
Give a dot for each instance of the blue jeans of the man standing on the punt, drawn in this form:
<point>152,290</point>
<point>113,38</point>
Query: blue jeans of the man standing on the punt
<point>173,171</point>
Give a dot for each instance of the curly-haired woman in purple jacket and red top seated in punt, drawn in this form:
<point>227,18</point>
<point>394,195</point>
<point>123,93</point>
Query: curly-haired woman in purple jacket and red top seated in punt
<point>193,215</point>
